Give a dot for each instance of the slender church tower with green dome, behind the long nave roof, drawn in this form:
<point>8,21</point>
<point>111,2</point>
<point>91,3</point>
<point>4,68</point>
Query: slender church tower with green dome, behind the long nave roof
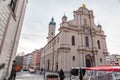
<point>51,32</point>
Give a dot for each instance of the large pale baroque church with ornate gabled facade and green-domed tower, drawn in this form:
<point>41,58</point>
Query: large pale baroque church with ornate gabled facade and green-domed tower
<point>79,43</point>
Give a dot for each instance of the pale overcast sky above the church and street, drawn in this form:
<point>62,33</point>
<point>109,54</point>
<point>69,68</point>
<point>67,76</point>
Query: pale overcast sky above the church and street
<point>39,13</point>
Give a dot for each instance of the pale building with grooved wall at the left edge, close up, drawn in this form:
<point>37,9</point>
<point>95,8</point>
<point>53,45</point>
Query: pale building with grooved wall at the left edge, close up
<point>11,20</point>
